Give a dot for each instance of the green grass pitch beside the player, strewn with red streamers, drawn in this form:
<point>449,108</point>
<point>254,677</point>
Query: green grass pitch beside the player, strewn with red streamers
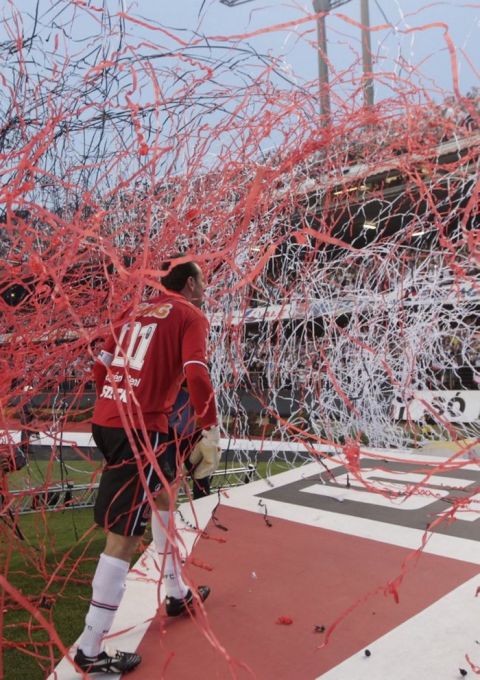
<point>52,568</point>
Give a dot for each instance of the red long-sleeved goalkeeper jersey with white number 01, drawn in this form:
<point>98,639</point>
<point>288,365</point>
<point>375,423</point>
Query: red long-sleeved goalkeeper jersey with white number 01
<point>143,363</point>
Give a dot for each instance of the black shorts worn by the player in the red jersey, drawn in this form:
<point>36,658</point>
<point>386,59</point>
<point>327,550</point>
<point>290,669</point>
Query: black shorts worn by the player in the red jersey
<point>122,503</point>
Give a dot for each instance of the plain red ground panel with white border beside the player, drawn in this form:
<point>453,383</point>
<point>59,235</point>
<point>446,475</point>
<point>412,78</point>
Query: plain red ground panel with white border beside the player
<point>308,574</point>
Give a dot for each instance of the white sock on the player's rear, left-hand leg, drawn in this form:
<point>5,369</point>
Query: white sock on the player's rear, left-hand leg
<point>108,586</point>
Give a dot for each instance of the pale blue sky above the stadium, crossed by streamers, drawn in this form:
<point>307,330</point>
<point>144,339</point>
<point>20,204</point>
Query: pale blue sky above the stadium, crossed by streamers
<point>417,46</point>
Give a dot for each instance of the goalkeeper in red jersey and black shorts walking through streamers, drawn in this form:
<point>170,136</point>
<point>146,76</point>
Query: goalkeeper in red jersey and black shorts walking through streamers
<point>138,374</point>
